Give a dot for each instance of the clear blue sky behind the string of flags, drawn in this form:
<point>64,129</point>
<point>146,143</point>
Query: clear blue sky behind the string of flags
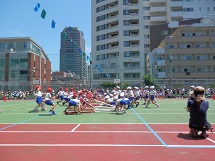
<point>18,19</point>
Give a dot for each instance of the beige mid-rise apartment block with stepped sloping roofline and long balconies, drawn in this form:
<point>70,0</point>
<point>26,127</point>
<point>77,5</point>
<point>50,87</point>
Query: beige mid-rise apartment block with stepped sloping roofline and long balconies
<point>187,56</point>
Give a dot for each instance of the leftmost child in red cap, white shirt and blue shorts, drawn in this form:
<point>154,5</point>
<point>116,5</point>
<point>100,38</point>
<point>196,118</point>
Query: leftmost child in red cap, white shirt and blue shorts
<point>39,100</point>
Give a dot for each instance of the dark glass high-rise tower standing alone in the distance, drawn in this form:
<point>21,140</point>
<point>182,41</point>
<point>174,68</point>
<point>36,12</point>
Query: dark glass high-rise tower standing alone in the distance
<point>72,52</point>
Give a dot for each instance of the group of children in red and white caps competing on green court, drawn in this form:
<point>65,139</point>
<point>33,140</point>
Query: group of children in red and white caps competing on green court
<point>118,98</point>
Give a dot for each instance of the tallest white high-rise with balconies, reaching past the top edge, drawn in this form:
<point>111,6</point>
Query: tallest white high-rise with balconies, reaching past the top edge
<point>121,33</point>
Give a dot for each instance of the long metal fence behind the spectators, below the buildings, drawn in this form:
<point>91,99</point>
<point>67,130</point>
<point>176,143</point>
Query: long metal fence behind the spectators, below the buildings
<point>79,84</point>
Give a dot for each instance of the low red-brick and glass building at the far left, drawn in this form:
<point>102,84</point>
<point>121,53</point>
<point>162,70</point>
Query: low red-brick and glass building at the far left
<point>23,64</point>
